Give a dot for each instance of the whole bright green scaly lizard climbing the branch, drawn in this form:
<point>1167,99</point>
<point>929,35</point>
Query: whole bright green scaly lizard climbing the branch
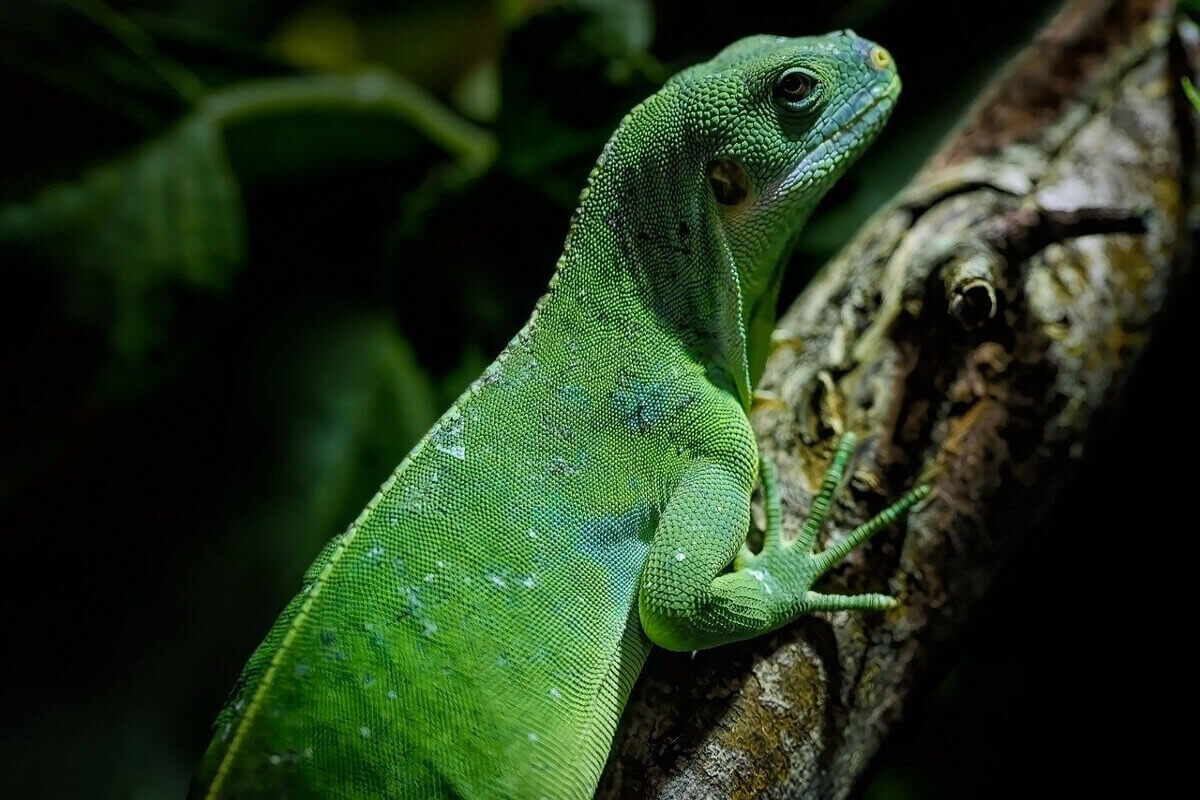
<point>477,631</point>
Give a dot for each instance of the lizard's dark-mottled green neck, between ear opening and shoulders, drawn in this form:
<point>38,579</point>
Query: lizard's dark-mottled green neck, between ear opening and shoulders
<point>647,243</point>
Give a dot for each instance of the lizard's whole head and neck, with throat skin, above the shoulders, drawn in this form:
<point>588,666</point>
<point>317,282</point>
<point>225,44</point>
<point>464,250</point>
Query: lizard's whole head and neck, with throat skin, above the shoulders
<point>704,188</point>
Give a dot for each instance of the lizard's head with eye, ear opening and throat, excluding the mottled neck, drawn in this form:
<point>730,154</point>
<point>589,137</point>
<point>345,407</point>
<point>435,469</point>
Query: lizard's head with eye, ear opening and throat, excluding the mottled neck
<point>773,123</point>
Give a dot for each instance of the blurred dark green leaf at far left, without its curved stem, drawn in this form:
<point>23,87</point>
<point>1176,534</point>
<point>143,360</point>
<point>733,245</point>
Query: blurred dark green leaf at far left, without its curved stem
<point>169,214</point>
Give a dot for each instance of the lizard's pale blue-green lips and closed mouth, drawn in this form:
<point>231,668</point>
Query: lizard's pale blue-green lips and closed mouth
<point>874,106</point>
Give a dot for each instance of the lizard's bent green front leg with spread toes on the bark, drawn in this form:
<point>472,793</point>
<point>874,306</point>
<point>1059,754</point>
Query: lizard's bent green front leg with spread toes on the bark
<point>689,600</point>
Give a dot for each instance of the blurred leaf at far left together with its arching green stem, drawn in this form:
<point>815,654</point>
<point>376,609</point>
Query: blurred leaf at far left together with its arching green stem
<point>133,234</point>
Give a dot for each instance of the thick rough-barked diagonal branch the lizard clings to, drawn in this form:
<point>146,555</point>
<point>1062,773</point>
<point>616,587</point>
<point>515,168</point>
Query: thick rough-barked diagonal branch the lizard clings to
<point>970,334</point>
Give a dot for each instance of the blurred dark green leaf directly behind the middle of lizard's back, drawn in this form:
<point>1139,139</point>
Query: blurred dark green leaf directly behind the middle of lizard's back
<point>334,405</point>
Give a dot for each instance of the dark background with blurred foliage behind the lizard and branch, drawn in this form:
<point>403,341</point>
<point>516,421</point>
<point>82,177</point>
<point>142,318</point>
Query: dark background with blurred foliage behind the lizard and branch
<point>221,332</point>
